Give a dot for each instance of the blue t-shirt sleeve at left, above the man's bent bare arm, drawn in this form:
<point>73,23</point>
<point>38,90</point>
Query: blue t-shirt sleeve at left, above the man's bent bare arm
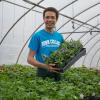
<point>34,42</point>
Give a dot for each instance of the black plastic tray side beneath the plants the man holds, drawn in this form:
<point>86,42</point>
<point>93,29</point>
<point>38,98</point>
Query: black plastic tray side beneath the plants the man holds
<point>74,59</point>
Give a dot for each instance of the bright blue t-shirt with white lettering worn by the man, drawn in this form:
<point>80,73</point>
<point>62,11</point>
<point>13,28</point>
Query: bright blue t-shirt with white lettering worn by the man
<point>44,43</point>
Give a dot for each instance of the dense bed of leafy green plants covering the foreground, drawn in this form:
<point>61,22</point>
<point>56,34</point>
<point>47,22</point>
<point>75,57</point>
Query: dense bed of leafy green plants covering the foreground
<point>19,82</point>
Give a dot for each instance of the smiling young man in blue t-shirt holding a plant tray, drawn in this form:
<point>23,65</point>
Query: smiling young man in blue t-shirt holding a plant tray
<point>43,43</point>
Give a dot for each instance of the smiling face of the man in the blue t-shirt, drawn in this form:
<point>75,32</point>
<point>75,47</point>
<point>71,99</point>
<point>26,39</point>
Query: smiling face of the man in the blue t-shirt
<point>50,20</point>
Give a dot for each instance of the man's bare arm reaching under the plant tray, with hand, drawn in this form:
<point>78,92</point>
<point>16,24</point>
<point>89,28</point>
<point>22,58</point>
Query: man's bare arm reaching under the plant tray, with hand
<point>35,63</point>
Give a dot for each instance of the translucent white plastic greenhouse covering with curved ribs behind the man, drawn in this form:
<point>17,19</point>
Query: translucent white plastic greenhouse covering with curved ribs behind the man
<point>78,20</point>
